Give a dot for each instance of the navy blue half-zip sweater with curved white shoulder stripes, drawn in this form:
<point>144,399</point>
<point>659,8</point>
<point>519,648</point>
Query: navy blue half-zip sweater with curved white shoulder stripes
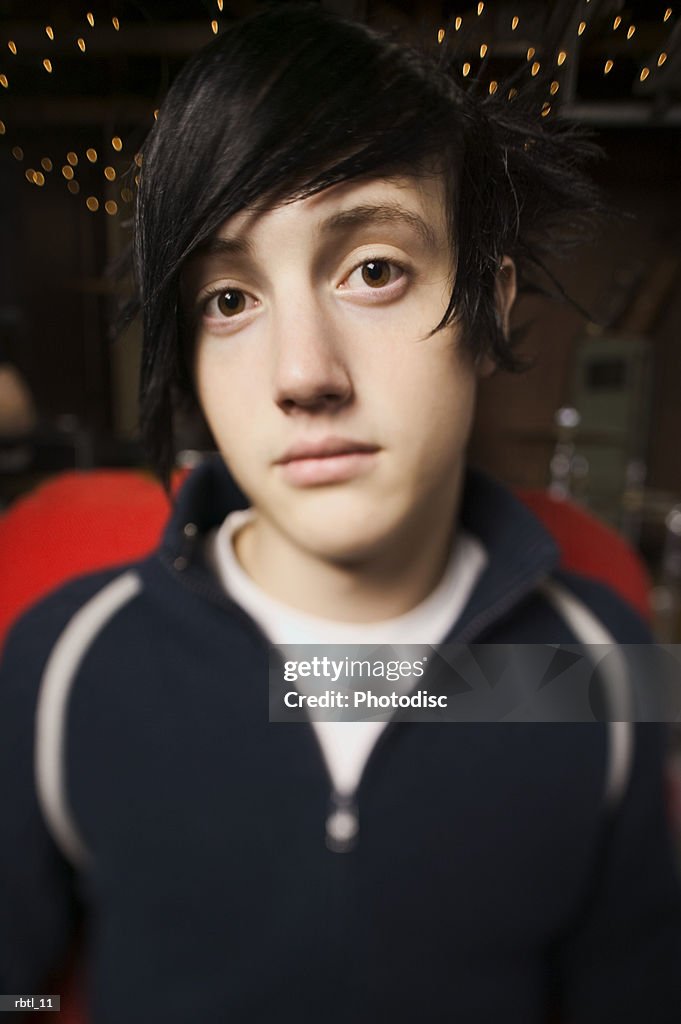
<point>493,882</point>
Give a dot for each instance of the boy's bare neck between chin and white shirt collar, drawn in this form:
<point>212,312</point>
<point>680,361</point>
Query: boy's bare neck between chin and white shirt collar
<point>379,586</point>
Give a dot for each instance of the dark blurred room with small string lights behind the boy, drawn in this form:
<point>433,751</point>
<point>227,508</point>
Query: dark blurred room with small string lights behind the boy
<point>599,416</point>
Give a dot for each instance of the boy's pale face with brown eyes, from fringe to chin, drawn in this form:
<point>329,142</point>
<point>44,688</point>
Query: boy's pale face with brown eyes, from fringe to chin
<point>337,414</point>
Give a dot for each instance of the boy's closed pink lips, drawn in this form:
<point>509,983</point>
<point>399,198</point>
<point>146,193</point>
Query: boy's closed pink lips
<point>332,460</point>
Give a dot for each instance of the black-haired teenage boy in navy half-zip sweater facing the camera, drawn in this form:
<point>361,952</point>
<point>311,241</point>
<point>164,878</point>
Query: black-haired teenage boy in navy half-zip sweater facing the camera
<point>328,241</point>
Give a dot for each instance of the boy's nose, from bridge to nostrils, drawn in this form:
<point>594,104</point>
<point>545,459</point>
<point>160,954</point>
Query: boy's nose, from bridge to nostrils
<point>312,371</point>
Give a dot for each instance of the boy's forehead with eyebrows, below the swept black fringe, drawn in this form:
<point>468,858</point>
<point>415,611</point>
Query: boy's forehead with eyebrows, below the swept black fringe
<point>413,204</point>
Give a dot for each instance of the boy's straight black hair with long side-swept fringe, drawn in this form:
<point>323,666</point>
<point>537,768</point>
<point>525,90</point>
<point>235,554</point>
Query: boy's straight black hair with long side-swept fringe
<point>294,100</point>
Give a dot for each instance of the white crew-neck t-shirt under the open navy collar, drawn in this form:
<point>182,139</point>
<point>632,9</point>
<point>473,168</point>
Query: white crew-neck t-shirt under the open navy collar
<point>347,746</point>
